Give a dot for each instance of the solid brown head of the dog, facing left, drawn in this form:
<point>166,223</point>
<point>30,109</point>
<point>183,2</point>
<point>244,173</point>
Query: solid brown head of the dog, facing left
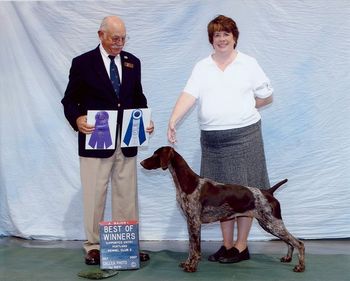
<point>160,159</point>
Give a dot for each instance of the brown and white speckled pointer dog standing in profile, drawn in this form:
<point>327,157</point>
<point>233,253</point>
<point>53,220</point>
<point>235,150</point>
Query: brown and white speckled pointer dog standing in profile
<point>204,201</point>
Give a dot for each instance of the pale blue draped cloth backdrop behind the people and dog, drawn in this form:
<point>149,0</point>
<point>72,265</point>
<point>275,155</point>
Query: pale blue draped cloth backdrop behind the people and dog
<point>303,46</point>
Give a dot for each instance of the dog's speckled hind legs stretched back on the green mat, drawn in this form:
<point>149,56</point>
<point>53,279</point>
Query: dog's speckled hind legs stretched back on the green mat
<point>276,227</point>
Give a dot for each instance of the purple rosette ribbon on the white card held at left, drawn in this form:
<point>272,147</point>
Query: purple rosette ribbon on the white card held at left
<point>101,136</point>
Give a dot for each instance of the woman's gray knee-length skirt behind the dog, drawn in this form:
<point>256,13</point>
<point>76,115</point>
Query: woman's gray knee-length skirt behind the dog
<point>235,156</point>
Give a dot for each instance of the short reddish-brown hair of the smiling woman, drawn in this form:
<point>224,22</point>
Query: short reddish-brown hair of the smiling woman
<point>223,23</point>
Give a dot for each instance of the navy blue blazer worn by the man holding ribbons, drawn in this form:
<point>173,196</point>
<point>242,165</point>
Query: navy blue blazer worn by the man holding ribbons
<point>89,88</point>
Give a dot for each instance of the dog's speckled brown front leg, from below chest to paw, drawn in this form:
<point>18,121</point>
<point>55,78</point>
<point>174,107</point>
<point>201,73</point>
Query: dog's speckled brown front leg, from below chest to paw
<point>194,255</point>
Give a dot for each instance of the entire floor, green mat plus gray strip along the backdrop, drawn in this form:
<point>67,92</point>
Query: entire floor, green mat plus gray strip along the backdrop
<point>34,260</point>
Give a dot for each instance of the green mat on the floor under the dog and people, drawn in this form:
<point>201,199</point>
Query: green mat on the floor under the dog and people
<point>51,264</point>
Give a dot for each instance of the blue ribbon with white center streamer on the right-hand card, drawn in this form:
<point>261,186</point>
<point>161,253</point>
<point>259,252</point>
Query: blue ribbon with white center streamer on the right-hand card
<point>135,127</point>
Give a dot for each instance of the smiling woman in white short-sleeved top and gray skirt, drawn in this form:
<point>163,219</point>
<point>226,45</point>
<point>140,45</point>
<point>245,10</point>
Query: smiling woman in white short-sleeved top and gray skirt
<point>228,87</point>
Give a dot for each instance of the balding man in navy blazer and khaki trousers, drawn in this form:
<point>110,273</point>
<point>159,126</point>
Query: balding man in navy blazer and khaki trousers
<point>106,78</point>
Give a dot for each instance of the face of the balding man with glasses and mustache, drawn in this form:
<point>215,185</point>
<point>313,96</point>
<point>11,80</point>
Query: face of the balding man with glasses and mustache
<point>113,39</point>
